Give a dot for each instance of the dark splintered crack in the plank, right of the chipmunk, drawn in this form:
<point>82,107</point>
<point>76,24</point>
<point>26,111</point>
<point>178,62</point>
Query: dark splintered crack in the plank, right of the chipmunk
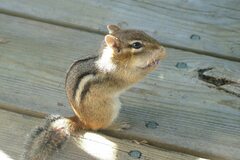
<point>217,82</point>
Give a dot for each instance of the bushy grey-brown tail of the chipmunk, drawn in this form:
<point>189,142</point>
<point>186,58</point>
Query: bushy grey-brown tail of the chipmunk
<point>49,137</point>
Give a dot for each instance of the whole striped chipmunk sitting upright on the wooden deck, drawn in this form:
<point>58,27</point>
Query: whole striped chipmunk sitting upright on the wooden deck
<point>93,86</point>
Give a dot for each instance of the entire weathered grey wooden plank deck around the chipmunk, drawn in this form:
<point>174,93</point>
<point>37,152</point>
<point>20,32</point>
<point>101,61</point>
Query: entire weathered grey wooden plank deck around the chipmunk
<point>188,109</point>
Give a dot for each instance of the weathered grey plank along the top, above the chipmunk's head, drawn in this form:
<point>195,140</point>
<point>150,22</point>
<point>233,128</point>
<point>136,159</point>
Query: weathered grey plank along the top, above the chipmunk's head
<point>209,27</point>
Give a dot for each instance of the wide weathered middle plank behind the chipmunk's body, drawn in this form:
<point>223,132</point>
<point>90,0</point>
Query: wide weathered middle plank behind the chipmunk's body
<point>193,116</point>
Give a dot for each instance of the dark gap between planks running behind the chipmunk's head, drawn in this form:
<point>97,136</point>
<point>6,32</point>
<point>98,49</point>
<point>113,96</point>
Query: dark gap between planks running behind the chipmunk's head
<point>91,30</point>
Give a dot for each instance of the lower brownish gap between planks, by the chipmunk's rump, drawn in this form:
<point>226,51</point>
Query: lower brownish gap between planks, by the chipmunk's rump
<point>164,146</point>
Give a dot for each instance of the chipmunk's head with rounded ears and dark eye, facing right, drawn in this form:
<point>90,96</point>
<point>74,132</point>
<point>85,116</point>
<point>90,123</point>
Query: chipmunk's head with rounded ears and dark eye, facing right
<point>131,50</point>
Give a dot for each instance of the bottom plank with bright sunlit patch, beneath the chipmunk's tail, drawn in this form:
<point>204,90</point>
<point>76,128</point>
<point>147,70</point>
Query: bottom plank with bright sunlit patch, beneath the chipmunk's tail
<point>87,146</point>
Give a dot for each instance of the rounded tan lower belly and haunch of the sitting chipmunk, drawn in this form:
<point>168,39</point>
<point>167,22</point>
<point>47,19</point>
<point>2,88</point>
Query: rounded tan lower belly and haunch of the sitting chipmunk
<point>99,110</point>
